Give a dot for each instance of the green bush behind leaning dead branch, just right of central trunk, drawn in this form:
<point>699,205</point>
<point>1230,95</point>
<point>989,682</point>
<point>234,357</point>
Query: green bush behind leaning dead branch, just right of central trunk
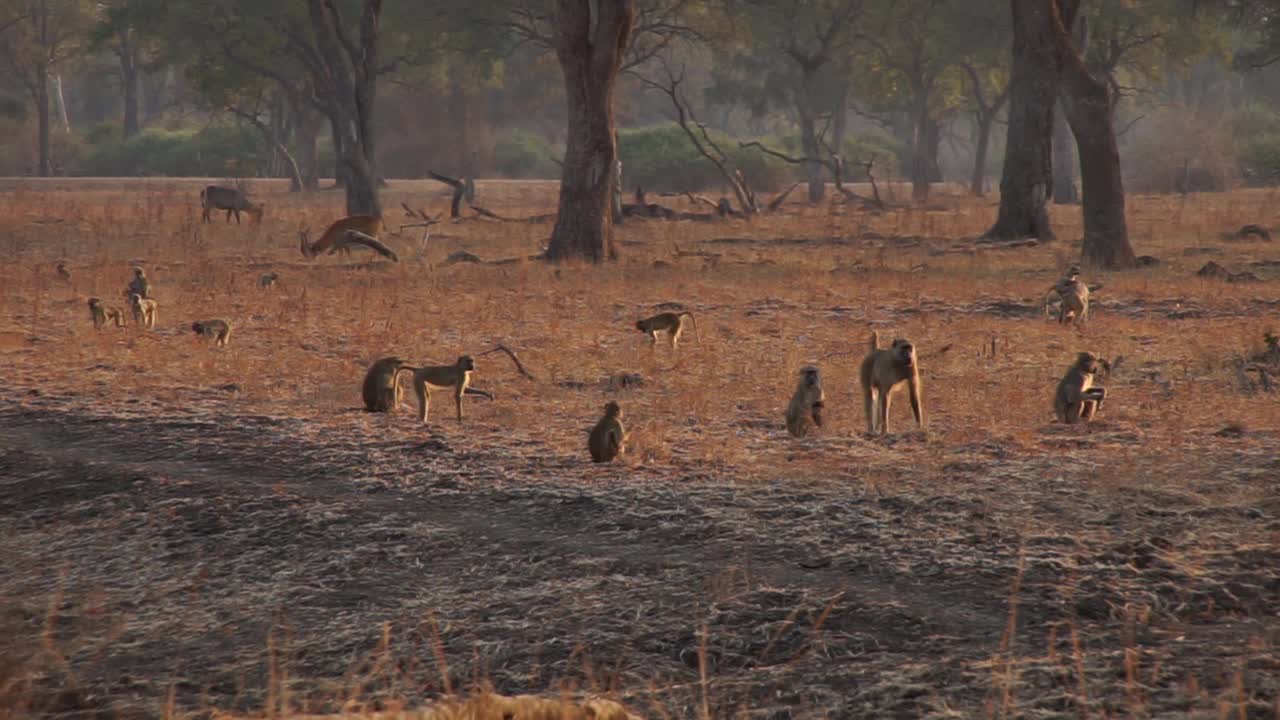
<point>662,158</point>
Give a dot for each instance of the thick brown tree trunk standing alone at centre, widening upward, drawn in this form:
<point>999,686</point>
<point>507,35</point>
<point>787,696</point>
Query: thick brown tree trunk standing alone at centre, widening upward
<point>591,52</point>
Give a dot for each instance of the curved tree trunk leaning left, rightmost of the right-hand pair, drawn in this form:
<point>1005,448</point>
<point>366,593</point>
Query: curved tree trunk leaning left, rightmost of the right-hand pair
<point>1090,106</point>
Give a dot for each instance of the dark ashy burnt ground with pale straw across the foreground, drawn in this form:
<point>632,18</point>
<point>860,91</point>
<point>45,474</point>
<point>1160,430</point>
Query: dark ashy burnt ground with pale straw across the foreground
<point>234,560</point>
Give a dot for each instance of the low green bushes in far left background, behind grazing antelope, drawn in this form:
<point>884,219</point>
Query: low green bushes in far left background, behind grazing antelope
<point>200,153</point>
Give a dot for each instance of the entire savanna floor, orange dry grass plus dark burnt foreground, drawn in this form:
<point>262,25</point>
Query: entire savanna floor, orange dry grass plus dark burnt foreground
<point>189,530</point>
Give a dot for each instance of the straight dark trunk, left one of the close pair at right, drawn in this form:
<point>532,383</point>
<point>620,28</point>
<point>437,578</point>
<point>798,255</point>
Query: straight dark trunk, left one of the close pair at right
<point>1027,180</point>
